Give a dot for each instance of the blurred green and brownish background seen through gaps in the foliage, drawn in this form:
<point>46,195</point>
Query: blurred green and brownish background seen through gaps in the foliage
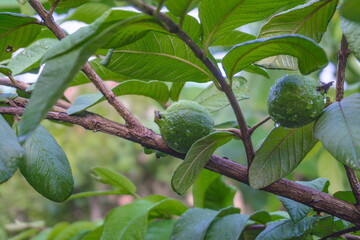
<point>86,149</point>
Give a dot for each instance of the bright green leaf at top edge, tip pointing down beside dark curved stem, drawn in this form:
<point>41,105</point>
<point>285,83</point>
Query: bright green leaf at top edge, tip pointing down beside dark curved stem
<point>220,18</point>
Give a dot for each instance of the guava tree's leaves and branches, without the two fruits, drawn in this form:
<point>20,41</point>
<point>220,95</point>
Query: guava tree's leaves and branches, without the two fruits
<point>146,52</point>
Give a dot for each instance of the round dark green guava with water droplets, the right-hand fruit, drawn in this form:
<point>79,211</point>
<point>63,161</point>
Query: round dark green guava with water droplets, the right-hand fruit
<point>295,101</point>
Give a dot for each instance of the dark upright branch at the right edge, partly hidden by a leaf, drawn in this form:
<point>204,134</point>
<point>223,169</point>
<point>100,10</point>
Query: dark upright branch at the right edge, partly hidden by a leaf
<point>342,56</point>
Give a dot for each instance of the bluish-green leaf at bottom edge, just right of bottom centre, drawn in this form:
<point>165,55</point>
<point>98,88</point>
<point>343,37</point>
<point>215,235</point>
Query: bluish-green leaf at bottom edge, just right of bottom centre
<point>227,227</point>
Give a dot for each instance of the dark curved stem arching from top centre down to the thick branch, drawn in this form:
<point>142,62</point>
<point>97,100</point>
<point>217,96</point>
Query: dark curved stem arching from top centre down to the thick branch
<point>172,27</point>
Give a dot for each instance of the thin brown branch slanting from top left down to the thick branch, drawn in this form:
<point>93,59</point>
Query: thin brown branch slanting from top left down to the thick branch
<point>89,71</point>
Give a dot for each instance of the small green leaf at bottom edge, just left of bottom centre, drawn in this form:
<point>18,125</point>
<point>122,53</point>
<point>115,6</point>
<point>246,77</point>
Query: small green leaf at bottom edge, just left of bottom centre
<point>160,230</point>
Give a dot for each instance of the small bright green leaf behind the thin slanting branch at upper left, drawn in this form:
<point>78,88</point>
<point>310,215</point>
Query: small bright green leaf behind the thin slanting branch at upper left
<point>104,73</point>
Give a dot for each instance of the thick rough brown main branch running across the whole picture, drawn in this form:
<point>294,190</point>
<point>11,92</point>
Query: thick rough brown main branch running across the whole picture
<point>318,200</point>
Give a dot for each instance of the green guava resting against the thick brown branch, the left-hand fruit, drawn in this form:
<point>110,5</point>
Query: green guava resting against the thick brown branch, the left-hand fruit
<point>183,123</point>
